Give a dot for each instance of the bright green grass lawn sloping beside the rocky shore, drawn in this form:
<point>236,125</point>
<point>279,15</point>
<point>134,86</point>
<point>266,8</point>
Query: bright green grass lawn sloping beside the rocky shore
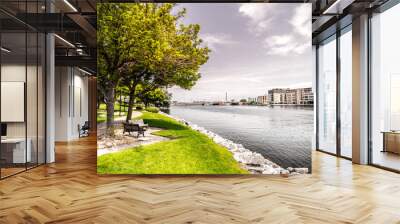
<point>188,152</point>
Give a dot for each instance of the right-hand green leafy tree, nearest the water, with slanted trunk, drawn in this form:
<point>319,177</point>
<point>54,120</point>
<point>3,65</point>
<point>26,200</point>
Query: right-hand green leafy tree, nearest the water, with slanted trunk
<point>168,54</point>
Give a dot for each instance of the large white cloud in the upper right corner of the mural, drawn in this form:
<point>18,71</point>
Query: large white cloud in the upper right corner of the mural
<point>291,26</point>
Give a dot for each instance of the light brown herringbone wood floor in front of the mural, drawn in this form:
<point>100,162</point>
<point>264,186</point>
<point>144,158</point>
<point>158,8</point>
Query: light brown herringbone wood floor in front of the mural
<point>70,191</point>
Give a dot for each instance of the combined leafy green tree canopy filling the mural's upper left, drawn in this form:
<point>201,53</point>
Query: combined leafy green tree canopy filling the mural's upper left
<point>146,45</point>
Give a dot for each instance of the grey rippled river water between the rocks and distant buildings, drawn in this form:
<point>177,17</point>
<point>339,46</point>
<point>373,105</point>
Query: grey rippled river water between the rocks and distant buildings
<point>280,133</point>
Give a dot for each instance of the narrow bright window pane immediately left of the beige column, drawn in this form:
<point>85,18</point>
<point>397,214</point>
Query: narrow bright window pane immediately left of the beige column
<point>346,94</point>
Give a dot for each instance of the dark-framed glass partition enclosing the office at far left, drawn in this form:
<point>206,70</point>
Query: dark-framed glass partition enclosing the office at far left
<point>22,101</point>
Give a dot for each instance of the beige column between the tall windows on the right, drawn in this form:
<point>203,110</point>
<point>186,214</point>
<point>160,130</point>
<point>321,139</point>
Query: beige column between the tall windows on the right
<point>360,90</point>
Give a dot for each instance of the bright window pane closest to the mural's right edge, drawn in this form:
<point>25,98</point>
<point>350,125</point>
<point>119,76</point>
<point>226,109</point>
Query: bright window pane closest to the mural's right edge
<point>327,96</point>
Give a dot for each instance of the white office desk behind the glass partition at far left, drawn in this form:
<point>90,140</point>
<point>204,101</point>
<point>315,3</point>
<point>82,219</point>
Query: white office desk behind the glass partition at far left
<point>13,150</point>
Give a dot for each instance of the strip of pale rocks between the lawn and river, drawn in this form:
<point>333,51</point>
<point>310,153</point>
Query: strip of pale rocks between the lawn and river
<point>254,162</point>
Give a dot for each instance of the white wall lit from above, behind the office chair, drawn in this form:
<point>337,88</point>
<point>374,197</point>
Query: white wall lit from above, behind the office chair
<point>71,102</point>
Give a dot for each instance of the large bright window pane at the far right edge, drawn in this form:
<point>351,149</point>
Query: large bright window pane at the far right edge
<point>386,89</point>
